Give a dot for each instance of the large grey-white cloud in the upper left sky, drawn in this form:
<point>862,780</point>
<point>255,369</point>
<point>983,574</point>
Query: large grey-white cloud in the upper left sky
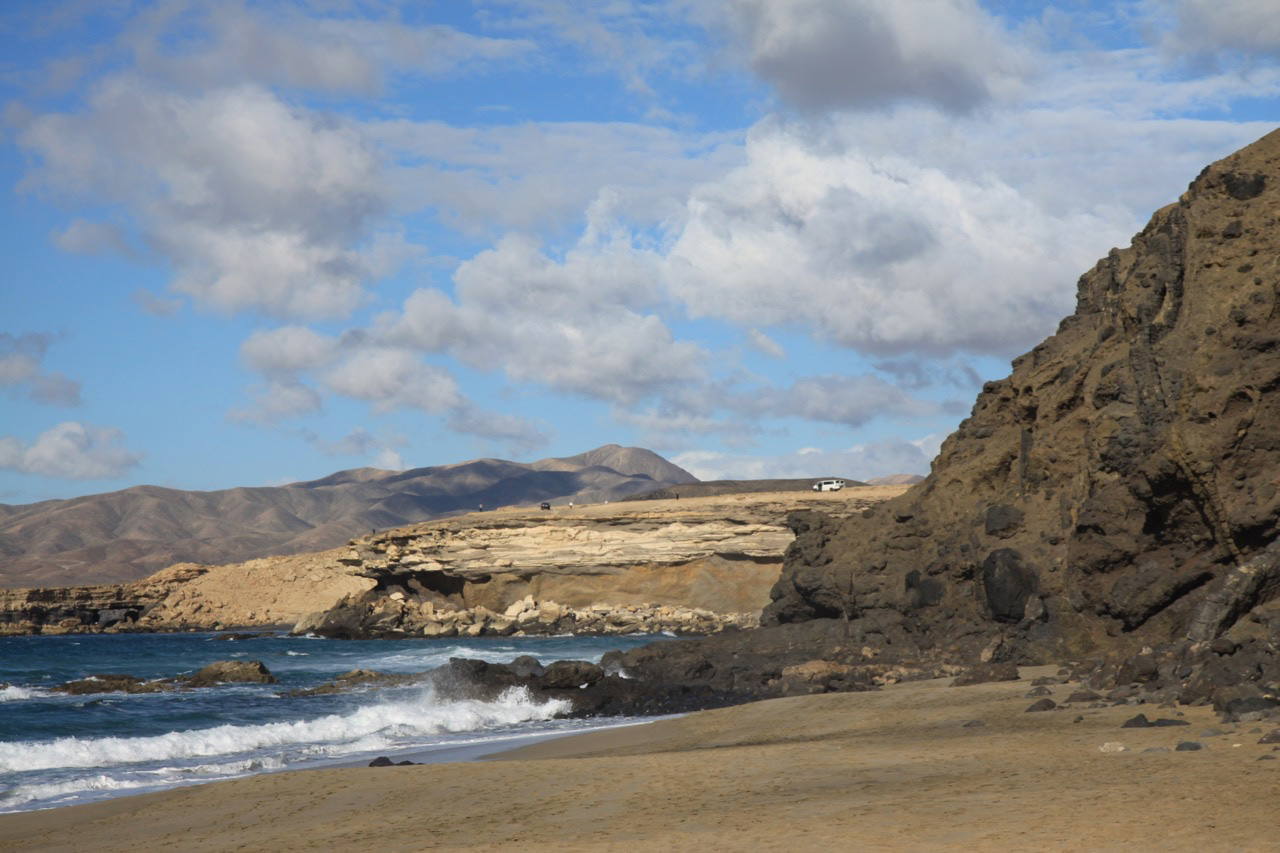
<point>258,204</point>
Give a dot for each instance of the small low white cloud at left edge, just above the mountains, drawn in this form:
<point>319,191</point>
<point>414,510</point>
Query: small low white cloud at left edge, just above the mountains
<point>71,451</point>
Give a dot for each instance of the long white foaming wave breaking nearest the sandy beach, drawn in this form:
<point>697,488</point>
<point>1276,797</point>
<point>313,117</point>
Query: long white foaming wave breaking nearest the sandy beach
<point>368,728</point>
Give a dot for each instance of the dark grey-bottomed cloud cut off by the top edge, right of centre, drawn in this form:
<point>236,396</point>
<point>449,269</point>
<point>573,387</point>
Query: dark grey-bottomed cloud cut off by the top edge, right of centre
<point>854,54</point>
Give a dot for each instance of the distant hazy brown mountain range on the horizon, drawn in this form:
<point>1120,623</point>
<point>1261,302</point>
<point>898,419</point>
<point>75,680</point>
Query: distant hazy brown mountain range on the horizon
<point>130,535</point>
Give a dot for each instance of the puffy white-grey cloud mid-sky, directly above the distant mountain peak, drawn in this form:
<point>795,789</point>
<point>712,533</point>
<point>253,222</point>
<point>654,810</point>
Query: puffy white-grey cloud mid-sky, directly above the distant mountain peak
<point>577,325</point>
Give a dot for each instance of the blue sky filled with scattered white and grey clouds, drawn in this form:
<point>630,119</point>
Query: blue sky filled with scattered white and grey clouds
<point>252,244</point>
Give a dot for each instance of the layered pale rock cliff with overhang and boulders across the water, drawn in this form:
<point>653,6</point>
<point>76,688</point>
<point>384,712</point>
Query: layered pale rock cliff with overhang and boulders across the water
<point>682,567</point>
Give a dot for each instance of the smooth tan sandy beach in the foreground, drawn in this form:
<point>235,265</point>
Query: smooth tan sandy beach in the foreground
<point>868,772</point>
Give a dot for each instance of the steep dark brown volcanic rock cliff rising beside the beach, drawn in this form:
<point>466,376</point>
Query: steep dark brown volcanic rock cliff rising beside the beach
<point>1116,485</point>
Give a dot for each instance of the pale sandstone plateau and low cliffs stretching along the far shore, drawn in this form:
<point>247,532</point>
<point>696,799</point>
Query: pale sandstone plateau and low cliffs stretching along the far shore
<point>693,565</point>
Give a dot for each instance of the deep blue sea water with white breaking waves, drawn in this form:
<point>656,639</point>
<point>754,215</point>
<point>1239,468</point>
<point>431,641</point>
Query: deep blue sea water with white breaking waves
<point>62,750</point>
